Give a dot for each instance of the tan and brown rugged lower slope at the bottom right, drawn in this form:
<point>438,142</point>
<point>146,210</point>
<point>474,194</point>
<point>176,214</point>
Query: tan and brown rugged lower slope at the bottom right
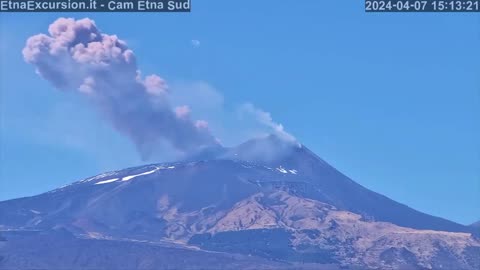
<point>318,232</point>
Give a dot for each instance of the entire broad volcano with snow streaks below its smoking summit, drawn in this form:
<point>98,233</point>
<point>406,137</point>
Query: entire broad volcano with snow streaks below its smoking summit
<point>268,203</point>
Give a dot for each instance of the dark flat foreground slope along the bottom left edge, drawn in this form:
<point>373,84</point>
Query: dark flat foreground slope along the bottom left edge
<point>54,250</point>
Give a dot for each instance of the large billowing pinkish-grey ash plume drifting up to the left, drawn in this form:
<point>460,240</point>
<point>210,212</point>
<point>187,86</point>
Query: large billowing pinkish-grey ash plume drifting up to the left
<point>77,56</point>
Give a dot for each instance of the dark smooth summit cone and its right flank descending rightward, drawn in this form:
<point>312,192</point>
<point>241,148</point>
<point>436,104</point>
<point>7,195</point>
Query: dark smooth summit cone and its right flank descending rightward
<point>336,188</point>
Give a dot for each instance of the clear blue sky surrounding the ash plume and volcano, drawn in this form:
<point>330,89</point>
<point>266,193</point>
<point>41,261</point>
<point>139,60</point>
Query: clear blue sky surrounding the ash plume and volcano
<point>391,100</point>
